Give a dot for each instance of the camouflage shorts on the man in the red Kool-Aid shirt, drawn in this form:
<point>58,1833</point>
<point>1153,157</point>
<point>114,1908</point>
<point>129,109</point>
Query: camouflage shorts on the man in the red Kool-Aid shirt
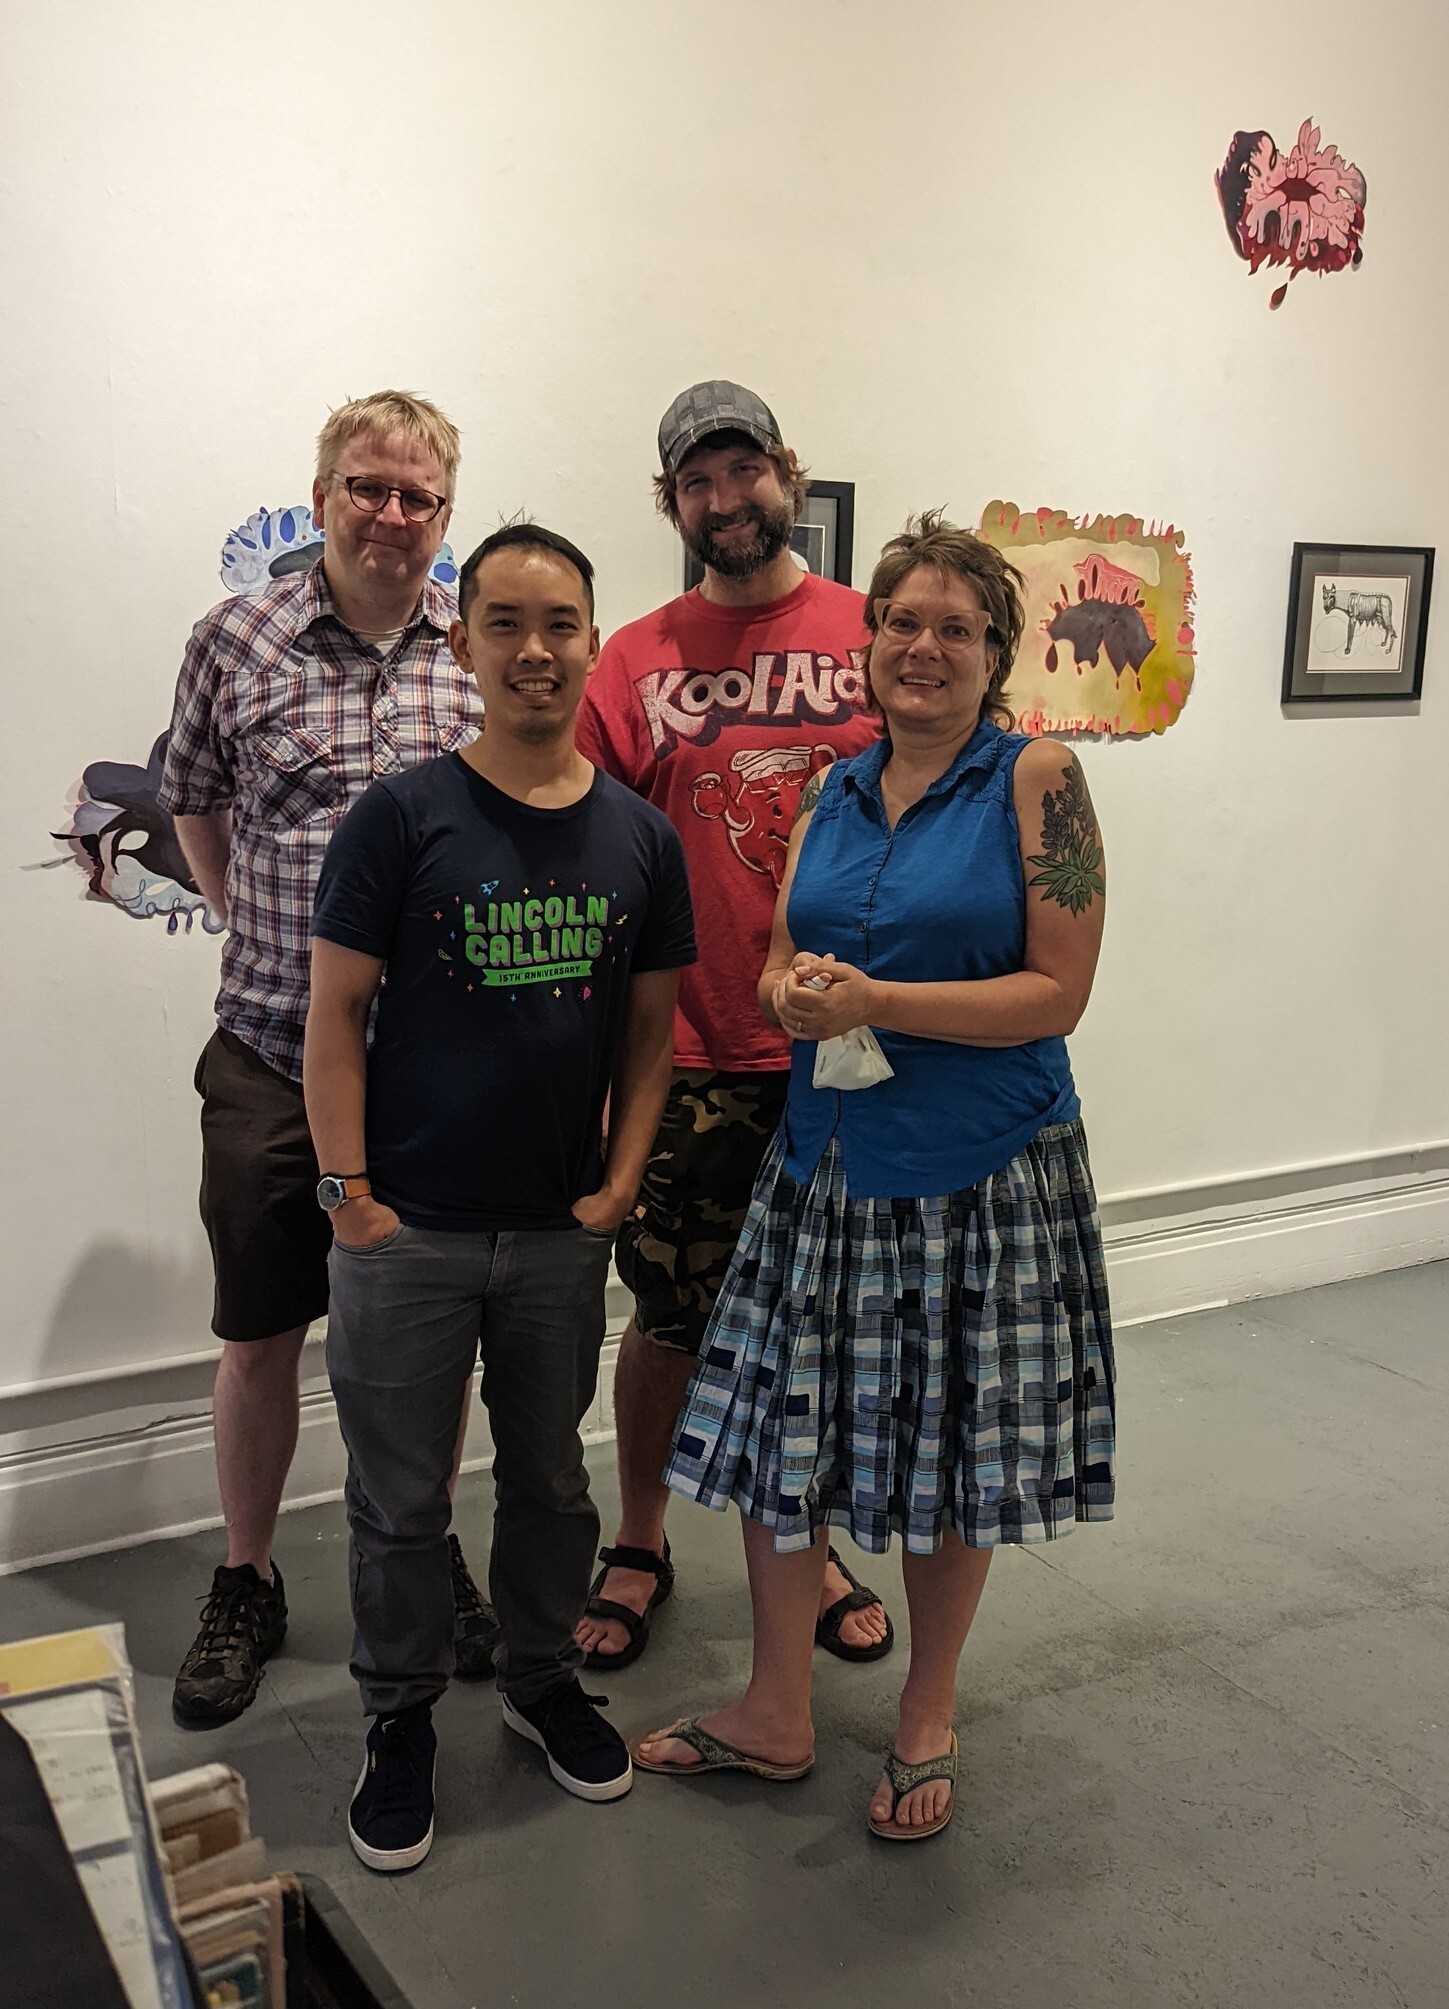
<point>676,1247</point>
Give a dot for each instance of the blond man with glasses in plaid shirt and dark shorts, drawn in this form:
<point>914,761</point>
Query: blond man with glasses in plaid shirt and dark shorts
<point>290,704</point>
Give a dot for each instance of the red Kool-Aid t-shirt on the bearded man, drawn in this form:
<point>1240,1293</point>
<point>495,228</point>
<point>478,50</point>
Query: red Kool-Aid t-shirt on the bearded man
<point>720,716</point>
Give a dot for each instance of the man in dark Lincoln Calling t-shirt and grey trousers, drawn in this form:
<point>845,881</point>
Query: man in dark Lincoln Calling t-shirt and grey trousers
<point>532,919</point>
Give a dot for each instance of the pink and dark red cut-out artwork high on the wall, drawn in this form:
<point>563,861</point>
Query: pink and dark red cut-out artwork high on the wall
<point>1301,210</point>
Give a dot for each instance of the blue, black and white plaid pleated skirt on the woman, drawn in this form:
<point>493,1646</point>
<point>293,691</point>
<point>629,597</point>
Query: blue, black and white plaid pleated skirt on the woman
<point>911,1365</point>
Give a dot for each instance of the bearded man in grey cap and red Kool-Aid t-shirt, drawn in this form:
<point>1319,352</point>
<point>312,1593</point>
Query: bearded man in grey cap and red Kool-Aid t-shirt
<point>718,708</point>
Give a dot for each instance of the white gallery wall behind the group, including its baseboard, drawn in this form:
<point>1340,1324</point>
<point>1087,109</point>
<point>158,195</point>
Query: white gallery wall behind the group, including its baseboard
<point>966,252</point>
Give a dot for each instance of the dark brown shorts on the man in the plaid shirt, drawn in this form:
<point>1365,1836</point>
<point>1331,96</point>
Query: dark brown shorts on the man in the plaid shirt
<point>260,1196</point>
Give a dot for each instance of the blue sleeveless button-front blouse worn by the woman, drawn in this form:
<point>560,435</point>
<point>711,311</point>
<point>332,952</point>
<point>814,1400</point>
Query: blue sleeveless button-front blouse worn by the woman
<point>940,899</point>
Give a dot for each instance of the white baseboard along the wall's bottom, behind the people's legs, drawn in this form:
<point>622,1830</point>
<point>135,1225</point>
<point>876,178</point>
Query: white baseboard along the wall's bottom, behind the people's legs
<point>124,1456</point>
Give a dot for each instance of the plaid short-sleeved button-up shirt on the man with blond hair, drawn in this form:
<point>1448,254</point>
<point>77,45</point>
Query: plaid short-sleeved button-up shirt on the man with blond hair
<point>286,716</point>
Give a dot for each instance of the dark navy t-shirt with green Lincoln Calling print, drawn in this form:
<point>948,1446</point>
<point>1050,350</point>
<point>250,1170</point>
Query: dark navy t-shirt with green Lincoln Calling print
<point>509,935</point>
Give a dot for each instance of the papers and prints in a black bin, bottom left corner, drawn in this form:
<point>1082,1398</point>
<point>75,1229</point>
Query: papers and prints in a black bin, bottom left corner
<point>130,1898</point>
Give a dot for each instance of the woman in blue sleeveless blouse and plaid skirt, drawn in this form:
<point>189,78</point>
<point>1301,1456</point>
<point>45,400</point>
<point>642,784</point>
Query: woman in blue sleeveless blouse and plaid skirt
<point>915,1337</point>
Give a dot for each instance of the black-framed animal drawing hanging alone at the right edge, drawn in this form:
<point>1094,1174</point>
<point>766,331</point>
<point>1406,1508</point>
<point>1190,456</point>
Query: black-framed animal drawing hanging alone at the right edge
<point>1358,624</point>
